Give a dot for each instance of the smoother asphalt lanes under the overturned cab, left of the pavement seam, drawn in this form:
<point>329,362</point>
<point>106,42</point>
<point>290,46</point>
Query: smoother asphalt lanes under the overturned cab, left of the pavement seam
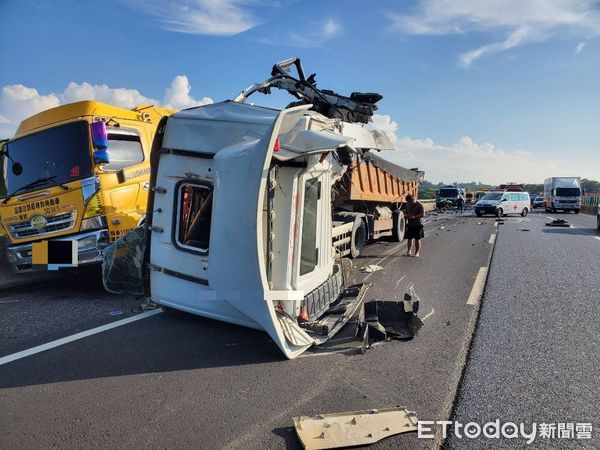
<point>176,380</point>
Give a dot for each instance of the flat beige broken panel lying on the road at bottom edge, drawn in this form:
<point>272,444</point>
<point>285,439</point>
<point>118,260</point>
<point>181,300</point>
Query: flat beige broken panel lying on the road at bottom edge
<point>349,429</point>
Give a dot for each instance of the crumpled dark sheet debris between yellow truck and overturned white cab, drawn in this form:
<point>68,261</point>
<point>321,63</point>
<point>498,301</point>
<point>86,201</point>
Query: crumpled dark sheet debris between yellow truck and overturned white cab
<point>122,264</point>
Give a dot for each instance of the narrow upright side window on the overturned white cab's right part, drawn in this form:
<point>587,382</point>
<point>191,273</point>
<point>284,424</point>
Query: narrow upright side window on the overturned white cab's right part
<point>308,251</point>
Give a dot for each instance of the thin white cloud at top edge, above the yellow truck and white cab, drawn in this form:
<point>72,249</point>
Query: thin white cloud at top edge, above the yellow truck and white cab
<point>208,17</point>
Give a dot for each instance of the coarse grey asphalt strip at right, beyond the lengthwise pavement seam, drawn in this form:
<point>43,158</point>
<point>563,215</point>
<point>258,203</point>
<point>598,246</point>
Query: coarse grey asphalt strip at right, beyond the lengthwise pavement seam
<point>536,353</point>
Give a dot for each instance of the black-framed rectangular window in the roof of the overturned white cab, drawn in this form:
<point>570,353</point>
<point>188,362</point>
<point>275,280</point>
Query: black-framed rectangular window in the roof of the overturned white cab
<point>194,211</point>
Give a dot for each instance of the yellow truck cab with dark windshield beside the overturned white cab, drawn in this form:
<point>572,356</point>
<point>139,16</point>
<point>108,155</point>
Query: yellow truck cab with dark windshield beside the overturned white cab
<point>59,181</point>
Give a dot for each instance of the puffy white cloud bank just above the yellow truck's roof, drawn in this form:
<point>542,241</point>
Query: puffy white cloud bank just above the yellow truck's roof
<point>17,102</point>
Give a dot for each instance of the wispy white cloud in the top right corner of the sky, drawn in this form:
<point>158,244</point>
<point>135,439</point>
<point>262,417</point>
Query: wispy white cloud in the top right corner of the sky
<point>520,21</point>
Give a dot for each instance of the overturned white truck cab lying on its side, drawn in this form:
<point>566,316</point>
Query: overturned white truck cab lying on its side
<point>239,222</point>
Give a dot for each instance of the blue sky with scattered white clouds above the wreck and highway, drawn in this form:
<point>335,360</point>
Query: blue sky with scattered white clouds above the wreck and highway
<point>474,90</point>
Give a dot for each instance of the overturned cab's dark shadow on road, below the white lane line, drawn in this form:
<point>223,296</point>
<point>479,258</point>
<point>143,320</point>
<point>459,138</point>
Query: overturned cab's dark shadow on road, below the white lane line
<point>171,341</point>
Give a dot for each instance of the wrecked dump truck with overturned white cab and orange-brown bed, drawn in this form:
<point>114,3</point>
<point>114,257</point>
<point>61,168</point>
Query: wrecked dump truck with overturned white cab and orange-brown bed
<point>252,209</point>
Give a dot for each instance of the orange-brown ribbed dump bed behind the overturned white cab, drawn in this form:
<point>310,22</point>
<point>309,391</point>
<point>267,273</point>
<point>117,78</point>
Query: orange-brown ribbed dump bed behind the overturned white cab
<point>376,179</point>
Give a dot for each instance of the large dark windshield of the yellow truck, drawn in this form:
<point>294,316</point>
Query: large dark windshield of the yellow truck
<point>62,152</point>
